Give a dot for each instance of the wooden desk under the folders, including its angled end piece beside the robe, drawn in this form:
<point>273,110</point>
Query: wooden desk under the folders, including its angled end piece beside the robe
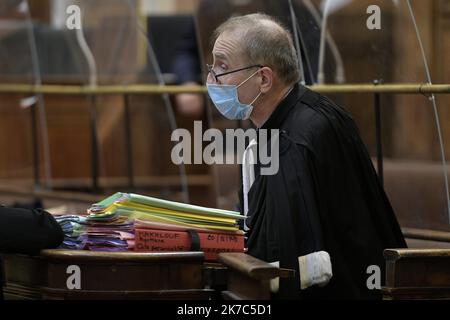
<point>103,275</point>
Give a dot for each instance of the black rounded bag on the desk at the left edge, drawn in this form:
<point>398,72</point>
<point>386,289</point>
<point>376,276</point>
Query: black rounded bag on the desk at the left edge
<point>28,231</point>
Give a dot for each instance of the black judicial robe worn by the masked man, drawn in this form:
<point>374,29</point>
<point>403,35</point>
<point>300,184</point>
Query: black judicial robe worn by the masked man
<point>326,196</point>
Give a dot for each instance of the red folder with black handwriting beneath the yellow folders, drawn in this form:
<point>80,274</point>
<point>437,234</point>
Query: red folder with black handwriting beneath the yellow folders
<point>211,243</point>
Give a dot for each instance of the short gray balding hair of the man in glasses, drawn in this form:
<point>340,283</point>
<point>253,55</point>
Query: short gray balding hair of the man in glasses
<point>267,42</point>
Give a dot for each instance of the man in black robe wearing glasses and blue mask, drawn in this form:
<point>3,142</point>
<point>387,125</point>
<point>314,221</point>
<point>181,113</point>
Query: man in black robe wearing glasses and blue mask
<point>324,213</point>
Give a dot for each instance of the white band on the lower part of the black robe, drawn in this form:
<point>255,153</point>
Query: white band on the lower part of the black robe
<point>315,269</point>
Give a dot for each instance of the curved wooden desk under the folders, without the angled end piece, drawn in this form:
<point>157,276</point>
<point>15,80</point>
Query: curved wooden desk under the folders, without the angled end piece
<point>106,275</point>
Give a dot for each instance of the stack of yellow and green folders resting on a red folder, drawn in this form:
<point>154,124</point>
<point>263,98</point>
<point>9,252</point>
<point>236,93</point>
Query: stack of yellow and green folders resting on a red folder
<point>162,225</point>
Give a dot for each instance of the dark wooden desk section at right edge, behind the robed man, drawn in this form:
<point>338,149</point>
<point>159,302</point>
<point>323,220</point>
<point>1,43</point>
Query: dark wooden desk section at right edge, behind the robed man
<point>417,274</point>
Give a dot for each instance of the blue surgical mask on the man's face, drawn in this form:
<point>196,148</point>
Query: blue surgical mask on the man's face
<point>226,100</point>
